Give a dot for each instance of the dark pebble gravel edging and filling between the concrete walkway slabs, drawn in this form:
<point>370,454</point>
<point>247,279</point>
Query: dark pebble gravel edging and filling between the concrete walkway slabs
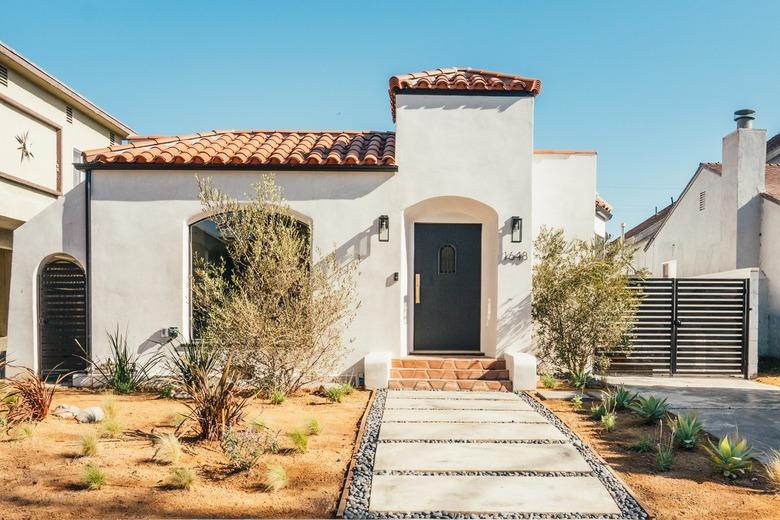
<point>360,489</point>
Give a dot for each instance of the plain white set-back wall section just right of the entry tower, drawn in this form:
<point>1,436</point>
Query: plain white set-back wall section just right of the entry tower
<point>564,193</point>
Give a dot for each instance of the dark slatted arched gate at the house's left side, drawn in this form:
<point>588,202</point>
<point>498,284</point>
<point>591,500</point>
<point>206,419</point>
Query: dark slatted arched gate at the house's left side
<point>62,316</point>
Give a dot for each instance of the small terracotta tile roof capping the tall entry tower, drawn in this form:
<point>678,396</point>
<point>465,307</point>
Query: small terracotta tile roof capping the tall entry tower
<point>460,78</point>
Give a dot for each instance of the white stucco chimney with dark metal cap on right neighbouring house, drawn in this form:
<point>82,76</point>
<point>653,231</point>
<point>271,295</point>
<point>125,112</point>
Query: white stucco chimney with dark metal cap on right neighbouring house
<point>744,159</point>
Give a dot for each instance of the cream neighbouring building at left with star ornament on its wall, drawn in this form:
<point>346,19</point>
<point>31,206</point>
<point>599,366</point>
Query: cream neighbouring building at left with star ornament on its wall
<point>44,126</point>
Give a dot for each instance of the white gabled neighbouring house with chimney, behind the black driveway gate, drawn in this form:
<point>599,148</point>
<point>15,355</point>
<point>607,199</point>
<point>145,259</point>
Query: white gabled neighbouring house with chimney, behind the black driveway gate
<point>726,223</point>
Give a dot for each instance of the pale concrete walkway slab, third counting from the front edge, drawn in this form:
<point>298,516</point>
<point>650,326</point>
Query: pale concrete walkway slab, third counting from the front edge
<point>470,431</point>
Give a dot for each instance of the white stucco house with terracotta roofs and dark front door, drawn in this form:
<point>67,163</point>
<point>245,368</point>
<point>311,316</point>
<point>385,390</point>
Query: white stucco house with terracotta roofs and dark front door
<point>440,213</point>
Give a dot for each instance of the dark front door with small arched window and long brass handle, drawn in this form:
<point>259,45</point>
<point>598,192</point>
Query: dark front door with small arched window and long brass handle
<point>447,277</point>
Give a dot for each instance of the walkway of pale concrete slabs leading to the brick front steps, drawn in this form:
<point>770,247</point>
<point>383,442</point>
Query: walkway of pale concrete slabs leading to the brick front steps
<point>449,434</point>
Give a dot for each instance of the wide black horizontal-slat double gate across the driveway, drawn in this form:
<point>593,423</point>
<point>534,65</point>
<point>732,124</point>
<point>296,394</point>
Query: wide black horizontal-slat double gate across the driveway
<point>693,326</point>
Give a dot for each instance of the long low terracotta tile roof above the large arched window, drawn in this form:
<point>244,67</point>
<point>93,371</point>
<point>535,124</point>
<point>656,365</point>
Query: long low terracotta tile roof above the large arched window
<point>255,148</point>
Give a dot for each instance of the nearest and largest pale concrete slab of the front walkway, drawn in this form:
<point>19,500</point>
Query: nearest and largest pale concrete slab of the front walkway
<point>490,494</point>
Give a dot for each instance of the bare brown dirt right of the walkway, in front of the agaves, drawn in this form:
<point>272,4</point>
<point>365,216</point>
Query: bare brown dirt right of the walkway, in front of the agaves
<point>692,489</point>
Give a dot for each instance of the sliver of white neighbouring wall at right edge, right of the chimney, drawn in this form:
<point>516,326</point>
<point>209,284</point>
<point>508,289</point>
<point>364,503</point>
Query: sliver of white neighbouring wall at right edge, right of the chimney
<point>770,269</point>
